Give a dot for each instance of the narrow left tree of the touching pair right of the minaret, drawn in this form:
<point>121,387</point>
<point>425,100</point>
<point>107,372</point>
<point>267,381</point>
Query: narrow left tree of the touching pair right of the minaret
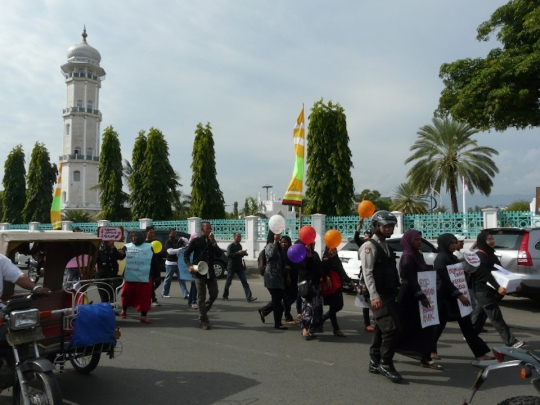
<point>136,179</point>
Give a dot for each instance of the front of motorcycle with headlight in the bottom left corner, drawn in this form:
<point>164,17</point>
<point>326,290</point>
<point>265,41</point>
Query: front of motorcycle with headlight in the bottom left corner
<point>21,365</point>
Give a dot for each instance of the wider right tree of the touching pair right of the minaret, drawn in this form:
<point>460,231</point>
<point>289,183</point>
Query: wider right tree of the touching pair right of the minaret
<point>158,194</point>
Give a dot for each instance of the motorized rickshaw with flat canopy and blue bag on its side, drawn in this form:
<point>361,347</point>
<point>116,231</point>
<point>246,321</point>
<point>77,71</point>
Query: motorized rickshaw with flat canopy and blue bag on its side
<point>67,313</point>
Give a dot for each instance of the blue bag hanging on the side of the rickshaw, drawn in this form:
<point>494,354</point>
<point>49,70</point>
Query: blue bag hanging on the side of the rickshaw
<point>94,324</point>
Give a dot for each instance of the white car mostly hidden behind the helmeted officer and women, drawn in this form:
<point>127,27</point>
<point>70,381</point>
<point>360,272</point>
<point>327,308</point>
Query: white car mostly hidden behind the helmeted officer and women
<point>348,255</point>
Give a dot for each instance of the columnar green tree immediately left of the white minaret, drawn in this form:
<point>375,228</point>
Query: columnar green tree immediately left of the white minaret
<point>40,186</point>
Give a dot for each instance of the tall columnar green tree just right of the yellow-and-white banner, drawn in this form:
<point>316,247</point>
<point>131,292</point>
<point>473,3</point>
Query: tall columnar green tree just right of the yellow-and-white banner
<point>329,184</point>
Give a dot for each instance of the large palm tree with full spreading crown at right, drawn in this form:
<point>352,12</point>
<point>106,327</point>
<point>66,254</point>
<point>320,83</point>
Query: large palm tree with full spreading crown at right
<point>445,154</point>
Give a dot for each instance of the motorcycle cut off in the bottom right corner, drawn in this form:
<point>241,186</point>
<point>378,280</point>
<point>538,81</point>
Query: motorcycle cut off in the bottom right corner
<point>507,357</point>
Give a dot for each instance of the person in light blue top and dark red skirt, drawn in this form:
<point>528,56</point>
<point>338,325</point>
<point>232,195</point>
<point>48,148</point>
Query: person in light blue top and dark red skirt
<point>137,289</point>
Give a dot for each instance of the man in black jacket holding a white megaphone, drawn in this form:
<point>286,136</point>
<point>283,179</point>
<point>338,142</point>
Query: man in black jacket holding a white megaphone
<point>204,248</point>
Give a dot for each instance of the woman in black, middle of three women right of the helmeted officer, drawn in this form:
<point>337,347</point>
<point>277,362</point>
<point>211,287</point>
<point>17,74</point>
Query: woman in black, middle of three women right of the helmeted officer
<point>447,300</point>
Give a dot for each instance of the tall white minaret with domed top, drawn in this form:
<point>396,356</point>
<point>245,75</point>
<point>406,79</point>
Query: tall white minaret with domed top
<point>82,118</point>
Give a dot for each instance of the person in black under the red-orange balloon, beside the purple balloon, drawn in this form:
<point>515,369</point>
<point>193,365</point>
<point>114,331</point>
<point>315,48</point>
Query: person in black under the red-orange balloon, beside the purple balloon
<point>311,271</point>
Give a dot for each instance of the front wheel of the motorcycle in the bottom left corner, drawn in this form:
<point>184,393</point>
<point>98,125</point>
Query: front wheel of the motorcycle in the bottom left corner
<point>43,389</point>
